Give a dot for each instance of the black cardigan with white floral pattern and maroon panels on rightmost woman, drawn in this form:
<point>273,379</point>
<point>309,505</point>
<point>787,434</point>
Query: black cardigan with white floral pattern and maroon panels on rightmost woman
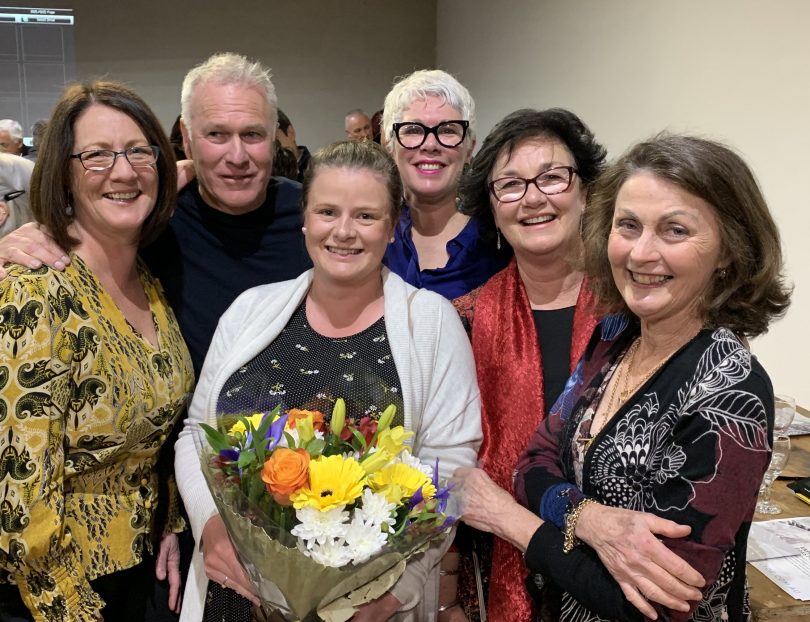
<point>691,445</point>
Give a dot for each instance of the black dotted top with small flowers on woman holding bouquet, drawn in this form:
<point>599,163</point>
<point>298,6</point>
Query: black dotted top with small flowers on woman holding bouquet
<point>303,369</point>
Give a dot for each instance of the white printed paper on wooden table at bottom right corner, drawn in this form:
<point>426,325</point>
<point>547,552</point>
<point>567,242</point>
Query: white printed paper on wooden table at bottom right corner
<point>791,572</point>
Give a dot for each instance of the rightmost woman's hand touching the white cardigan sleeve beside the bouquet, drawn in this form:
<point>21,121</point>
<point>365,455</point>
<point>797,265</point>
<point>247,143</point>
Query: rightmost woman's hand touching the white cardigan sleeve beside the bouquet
<point>488,507</point>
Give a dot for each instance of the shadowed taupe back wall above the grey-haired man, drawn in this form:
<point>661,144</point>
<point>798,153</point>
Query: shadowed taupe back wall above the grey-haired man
<point>327,57</point>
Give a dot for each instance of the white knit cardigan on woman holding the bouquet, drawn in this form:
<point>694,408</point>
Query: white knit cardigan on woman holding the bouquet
<point>442,406</point>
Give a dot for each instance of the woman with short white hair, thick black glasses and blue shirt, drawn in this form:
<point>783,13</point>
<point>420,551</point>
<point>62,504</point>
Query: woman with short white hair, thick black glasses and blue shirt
<point>429,128</point>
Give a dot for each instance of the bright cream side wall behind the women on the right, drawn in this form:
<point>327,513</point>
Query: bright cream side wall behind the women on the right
<point>731,69</point>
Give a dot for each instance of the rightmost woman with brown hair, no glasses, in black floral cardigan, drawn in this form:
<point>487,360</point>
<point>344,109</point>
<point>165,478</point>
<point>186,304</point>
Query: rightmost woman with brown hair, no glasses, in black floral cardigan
<point>667,415</point>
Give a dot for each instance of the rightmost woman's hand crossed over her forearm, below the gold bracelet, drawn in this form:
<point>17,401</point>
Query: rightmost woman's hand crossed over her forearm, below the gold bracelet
<point>642,565</point>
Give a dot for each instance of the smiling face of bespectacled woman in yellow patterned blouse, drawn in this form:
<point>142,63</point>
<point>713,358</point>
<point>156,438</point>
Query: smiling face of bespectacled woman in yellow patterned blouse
<point>110,204</point>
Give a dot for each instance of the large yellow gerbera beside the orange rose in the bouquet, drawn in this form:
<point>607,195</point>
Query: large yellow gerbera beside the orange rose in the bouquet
<point>333,481</point>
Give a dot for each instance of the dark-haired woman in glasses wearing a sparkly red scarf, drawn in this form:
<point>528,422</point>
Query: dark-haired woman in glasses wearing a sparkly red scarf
<point>529,323</point>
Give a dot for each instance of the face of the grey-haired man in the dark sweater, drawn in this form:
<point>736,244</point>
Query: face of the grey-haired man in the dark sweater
<point>231,143</point>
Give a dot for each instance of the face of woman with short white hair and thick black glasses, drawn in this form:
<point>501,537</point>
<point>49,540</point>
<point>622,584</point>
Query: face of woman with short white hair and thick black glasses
<point>431,173</point>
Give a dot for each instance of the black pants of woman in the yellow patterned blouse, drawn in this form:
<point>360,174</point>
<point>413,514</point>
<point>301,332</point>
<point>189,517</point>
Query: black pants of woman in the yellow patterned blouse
<point>125,593</point>
